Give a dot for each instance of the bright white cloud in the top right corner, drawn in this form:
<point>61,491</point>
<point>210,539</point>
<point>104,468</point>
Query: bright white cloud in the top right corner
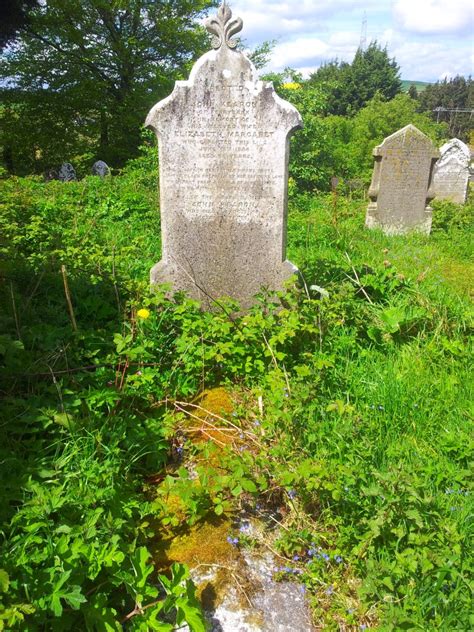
<point>435,16</point>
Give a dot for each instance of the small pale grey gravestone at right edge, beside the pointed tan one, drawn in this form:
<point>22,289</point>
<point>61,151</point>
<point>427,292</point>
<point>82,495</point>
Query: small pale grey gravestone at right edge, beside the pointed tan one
<point>451,174</point>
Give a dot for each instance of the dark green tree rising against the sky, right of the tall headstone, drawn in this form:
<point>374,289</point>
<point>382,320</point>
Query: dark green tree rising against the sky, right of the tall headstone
<point>351,86</point>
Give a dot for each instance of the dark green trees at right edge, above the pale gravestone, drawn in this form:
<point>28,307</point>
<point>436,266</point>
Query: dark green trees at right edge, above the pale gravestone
<point>451,95</point>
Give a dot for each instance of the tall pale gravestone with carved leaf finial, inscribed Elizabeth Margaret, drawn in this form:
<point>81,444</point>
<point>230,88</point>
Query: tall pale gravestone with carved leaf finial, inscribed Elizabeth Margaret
<point>223,141</point>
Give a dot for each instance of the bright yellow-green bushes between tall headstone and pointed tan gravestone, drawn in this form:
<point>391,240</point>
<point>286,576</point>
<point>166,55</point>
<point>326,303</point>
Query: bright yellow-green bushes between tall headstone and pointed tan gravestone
<point>341,146</point>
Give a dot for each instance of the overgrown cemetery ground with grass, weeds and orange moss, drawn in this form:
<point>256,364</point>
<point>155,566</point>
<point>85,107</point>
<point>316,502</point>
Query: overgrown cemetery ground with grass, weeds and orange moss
<point>128,416</point>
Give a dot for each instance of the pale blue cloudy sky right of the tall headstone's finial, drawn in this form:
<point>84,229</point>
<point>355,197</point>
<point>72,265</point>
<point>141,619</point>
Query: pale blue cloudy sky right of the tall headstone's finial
<point>430,39</point>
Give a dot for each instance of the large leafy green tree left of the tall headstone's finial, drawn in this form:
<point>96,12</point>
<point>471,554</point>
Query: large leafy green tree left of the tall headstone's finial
<point>87,72</point>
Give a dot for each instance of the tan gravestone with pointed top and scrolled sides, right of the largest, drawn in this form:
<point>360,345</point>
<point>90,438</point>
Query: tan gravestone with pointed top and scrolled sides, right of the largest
<point>401,187</point>
